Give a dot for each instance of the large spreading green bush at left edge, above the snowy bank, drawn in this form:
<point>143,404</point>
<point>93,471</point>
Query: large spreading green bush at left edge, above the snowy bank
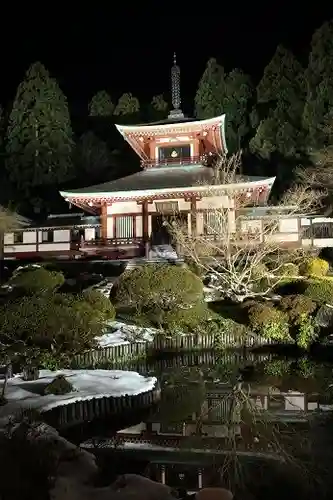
<point>59,328</point>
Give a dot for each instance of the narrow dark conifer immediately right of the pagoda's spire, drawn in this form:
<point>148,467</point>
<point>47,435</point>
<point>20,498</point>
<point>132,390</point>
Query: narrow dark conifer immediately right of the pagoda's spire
<point>211,89</point>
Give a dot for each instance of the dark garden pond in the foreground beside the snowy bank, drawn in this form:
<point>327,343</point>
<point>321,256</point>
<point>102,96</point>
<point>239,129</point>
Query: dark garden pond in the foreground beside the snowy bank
<point>219,417</point>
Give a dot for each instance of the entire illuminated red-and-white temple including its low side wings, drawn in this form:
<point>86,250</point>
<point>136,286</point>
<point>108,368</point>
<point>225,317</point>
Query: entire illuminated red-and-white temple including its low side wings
<point>126,218</point>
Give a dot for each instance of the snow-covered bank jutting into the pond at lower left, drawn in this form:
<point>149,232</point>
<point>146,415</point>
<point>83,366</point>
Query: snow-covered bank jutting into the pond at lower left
<point>87,384</point>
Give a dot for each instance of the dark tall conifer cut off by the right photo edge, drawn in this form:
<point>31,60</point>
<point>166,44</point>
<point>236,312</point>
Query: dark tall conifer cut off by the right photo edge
<point>318,114</point>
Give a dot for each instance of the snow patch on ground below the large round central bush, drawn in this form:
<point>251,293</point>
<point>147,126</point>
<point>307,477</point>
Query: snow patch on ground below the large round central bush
<point>118,333</point>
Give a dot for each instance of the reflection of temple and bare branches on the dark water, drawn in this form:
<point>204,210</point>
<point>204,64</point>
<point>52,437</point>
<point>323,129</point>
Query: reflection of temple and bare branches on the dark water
<point>220,416</point>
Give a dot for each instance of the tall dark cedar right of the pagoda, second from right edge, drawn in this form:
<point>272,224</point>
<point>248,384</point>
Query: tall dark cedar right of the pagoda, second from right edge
<point>281,98</point>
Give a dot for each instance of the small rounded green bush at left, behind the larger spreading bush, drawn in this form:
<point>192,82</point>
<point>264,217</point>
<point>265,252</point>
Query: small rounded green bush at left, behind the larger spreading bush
<point>37,281</point>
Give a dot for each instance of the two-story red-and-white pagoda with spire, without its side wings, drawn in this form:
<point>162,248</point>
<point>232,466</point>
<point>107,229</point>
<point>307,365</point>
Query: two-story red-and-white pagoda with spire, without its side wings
<point>173,181</point>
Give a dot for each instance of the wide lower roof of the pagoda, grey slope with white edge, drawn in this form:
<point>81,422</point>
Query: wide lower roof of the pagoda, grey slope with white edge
<point>160,178</point>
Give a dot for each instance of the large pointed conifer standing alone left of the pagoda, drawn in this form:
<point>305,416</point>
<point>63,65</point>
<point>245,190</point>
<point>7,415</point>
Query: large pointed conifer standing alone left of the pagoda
<point>39,134</point>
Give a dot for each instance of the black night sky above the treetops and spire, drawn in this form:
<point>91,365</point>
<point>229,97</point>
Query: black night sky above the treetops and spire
<point>121,50</point>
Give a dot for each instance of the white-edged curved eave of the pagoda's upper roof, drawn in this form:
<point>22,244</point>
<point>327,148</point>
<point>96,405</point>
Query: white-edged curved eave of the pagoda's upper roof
<point>170,127</point>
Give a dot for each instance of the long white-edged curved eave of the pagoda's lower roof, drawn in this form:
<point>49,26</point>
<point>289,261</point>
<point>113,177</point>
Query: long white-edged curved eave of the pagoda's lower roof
<point>209,189</point>
